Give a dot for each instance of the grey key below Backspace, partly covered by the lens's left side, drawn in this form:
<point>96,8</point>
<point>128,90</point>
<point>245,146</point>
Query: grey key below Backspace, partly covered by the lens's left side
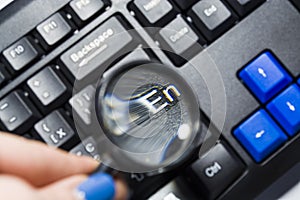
<point>81,104</point>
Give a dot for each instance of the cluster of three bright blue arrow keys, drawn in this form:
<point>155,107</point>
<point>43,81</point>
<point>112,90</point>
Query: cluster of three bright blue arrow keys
<point>260,134</point>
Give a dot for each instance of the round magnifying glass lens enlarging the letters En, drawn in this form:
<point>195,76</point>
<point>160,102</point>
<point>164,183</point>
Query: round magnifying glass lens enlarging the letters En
<point>148,118</point>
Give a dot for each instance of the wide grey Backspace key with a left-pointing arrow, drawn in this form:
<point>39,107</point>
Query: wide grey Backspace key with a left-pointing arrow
<point>97,50</point>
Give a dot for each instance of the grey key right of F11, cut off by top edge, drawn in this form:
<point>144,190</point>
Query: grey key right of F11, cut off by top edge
<point>85,9</point>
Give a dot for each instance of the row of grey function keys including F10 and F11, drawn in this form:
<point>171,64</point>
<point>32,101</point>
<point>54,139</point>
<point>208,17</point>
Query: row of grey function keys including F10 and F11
<point>48,34</point>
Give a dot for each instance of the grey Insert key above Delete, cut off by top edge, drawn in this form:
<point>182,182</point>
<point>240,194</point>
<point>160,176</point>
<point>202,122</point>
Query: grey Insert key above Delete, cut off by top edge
<point>154,12</point>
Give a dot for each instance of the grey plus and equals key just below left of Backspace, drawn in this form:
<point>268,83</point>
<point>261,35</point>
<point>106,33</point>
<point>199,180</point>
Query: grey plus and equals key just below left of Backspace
<point>48,88</point>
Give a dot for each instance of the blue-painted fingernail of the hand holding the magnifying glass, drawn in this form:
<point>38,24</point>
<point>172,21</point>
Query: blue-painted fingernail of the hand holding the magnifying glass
<point>97,186</point>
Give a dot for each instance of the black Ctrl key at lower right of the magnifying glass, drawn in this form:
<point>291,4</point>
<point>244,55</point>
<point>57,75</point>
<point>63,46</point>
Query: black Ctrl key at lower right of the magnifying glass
<point>215,171</point>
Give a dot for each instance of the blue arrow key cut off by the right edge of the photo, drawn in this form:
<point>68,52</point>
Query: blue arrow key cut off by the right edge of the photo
<point>285,108</point>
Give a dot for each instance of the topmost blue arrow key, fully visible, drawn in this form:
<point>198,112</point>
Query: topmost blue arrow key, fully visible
<point>265,76</point>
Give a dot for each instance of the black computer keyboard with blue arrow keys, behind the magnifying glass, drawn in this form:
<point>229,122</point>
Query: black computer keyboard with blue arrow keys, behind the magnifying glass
<point>241,57</point>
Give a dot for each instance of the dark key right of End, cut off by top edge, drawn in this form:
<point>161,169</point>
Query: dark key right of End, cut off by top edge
<point>244,7</point>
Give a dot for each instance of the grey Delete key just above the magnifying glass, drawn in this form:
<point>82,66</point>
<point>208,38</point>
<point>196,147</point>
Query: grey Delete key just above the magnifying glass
<point>178,38</point>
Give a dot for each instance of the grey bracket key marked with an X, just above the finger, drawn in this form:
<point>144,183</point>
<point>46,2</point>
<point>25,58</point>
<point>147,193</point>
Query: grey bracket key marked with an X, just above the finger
<point>54,129</point>
